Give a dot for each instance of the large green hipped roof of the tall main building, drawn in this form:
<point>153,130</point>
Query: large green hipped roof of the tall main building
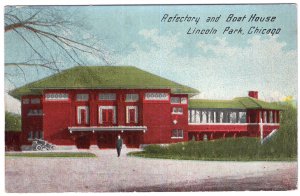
<point>102,77</point>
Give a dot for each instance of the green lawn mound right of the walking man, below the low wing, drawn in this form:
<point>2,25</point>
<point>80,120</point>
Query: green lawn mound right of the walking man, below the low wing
<point>240,149</point>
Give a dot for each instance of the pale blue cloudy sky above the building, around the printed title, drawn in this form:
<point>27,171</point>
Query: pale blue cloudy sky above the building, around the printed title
<point>220,66</point>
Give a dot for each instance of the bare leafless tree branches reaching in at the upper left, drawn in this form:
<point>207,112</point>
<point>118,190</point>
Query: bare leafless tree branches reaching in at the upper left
<point>52,36</point>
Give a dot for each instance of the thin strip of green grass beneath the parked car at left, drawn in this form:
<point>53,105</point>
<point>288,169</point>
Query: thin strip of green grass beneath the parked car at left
<point>51,154</point>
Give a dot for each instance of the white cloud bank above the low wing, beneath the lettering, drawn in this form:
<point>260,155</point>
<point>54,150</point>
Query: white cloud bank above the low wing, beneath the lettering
<point>220,70</point>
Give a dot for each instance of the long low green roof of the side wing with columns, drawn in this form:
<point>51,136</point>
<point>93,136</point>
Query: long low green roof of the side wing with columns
<point>237,103</point>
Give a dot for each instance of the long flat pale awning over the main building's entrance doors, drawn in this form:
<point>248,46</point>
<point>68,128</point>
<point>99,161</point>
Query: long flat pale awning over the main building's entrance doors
<point>109,128</point>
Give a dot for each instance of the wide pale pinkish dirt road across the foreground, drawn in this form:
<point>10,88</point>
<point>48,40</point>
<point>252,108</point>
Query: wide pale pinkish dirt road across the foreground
<point>106,172</point>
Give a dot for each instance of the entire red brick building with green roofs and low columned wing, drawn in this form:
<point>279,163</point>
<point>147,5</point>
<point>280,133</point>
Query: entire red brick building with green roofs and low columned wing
<point>86,106</point>
